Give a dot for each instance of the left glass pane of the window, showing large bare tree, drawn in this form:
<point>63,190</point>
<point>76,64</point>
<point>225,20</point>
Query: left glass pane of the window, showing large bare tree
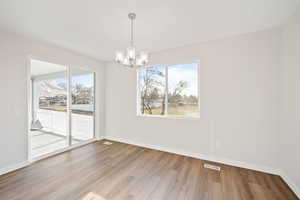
<point>152,90</point>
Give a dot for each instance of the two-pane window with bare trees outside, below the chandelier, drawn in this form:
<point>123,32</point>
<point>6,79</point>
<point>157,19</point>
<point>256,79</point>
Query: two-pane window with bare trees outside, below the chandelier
<point>169,90</point>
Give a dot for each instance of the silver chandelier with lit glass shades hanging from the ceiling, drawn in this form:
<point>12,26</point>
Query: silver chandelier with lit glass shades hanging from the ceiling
<point>130,57</point>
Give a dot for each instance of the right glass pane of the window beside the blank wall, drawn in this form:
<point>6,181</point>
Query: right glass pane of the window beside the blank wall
<point>183,90</point>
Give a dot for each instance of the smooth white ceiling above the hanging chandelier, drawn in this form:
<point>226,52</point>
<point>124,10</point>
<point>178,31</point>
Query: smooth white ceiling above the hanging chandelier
<point>99,27</point>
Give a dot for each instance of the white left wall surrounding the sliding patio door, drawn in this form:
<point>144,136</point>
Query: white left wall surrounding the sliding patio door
<point>14,52</point>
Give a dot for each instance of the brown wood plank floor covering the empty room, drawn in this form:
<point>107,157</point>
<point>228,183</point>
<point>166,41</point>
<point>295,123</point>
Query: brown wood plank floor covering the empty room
<point>126,172</point>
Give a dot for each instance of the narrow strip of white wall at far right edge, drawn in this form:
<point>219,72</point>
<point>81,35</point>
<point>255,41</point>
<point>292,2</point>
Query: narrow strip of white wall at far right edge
<point>290,101</point>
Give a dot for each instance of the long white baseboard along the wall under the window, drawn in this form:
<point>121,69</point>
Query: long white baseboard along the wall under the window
<point>199,156</point>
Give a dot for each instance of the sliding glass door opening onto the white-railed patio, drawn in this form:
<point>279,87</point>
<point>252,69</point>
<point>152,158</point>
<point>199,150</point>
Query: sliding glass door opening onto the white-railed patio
<point>62,110</point>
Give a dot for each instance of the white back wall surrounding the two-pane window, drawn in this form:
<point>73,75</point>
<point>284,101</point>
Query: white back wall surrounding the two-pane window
<point>239,102</point>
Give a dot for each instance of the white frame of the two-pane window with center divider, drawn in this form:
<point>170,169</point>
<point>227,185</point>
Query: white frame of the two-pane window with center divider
<point>166,115</point>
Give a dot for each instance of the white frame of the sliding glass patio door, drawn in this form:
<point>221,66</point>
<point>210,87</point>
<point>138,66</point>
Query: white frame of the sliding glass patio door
<point>69,111</point>
